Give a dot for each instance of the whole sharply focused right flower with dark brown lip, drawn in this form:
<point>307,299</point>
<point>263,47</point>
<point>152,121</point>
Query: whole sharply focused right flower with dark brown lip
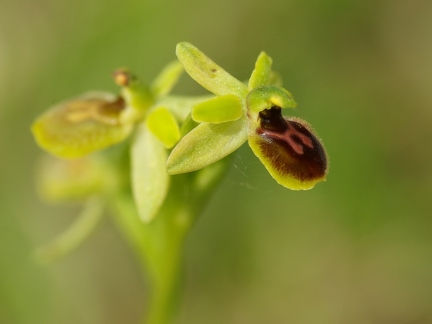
<point>289,150</point>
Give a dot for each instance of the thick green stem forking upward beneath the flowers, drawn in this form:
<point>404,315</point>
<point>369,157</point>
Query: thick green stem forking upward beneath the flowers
<point>159,244</point>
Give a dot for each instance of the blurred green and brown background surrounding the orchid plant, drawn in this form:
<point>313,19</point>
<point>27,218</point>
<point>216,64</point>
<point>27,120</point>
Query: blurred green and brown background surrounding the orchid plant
<point>356,249</point>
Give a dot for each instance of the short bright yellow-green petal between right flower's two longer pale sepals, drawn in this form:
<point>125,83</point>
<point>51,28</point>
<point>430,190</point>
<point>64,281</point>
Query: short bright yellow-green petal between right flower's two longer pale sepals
<point>219,109</point>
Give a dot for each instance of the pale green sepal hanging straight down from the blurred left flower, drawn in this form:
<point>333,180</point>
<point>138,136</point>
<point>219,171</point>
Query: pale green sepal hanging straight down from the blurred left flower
<point>150,180</point>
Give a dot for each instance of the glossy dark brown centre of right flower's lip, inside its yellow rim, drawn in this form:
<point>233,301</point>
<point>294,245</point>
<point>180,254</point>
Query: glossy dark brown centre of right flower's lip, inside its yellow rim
<point>291,147</point>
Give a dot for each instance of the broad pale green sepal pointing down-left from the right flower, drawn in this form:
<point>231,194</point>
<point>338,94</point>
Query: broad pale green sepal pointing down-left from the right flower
<point>206,144</point>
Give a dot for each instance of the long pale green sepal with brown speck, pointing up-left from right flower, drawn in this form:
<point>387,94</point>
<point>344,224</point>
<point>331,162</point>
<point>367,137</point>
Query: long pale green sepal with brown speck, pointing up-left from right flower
<point>207,73</point>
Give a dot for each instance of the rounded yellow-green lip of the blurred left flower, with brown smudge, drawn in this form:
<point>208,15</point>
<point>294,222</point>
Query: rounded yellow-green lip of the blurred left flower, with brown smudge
<point>82,125</point>
